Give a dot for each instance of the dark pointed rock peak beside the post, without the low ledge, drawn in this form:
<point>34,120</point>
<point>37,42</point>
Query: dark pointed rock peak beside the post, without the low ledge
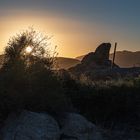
<point>97,60</point>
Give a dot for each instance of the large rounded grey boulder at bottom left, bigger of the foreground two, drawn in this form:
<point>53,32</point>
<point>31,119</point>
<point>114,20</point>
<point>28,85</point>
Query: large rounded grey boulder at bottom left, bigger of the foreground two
<point>31,126</point>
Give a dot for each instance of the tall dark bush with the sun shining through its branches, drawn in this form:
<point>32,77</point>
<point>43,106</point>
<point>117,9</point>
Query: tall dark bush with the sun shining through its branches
<point>27,79</point>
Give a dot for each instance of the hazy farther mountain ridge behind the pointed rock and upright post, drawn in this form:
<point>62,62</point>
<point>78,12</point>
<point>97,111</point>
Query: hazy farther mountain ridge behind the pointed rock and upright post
<point>124,58</point>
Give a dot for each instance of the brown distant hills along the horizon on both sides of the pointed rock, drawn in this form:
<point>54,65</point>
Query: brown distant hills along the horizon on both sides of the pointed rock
<point>123,59</point>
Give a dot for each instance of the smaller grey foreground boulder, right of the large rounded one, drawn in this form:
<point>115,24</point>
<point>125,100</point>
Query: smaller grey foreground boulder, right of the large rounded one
<point>76,127</point>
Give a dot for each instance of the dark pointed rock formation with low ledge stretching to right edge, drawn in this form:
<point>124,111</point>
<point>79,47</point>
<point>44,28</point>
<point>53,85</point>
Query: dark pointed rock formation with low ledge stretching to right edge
<point>96,65</point>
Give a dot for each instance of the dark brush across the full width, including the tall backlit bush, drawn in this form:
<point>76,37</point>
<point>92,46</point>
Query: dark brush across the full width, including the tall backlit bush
<point>28,81</point>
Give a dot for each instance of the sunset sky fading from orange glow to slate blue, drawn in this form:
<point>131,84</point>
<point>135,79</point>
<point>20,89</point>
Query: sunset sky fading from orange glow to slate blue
<point>76,26</point>
